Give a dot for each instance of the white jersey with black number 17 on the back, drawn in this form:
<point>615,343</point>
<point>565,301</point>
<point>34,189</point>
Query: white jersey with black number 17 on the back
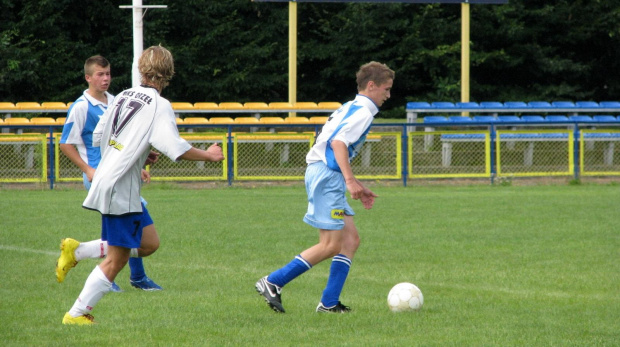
<point>138,119</point>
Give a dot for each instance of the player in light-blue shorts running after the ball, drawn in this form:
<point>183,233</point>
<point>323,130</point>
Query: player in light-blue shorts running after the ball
<point>328,176</point>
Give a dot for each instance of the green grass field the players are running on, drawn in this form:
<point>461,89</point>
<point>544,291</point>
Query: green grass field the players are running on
<point>498,266</point>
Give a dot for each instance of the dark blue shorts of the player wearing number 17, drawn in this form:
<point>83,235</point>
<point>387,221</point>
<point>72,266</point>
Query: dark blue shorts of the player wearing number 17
<point>125,231</point>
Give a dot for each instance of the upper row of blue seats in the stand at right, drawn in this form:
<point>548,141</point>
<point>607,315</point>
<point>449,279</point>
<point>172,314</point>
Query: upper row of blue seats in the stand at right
<point>515,105</point>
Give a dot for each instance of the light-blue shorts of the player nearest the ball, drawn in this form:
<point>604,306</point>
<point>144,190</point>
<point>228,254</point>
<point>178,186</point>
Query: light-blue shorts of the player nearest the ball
<point>327,202</point>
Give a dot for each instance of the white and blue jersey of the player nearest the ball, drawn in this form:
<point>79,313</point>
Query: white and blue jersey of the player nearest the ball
<point>349,124</point>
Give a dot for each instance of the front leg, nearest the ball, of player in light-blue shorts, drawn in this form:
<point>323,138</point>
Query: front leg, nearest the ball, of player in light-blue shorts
<point>339,270</point>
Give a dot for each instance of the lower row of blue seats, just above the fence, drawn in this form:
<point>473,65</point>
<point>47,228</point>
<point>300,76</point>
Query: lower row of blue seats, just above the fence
<point>526,118</point>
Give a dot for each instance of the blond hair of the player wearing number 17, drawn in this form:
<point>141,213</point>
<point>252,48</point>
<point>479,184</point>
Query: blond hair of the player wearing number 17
<point>156,67</point>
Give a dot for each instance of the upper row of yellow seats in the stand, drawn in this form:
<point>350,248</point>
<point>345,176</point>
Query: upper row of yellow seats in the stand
<point>7,107</point>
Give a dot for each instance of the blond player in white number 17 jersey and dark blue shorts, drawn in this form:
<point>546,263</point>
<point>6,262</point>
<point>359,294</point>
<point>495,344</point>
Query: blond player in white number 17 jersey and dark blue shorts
<point>138,119</point>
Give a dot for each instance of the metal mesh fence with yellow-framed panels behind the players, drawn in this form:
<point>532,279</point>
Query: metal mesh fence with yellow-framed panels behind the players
<point>404,152</point>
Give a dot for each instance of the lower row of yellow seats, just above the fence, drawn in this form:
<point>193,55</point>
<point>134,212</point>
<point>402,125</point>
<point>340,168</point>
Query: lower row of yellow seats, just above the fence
<point>183,121</point>
